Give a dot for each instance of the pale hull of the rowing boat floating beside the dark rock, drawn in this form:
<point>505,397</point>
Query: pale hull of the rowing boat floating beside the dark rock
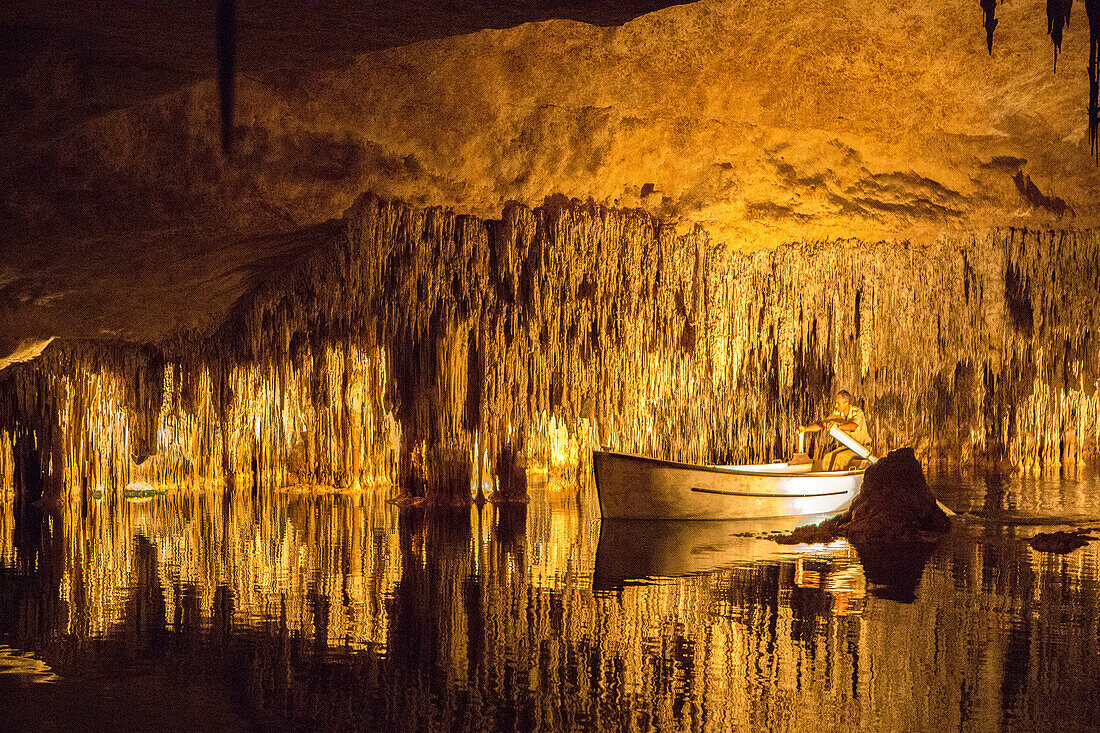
<point>640,488</point>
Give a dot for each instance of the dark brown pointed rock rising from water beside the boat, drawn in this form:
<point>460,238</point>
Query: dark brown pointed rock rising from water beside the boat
<point>895,506</point>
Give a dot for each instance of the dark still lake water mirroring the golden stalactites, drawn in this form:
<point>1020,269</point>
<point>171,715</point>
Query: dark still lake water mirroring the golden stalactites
<point>196,612</point>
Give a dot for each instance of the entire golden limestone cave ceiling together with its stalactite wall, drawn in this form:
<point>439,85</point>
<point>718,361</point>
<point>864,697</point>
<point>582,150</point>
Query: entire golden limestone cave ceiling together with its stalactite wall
<point>436,258</point>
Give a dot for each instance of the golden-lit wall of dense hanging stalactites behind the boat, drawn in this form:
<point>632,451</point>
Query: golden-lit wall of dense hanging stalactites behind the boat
<point>431,349</point>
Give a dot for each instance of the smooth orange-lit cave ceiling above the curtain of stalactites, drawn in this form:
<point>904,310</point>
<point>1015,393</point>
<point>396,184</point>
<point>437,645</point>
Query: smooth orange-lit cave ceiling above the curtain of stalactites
<point>762,123</point>
